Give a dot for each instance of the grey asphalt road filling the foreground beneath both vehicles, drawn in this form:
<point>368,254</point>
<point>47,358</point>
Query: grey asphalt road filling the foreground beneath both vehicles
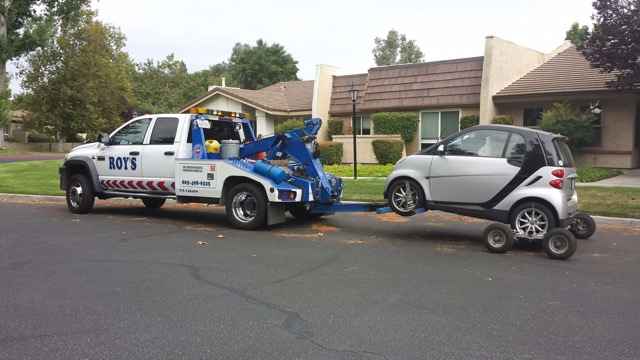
<point>123,283</point>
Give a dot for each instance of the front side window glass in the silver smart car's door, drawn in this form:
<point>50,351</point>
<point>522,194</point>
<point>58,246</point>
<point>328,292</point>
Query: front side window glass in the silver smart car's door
<point>481,143</point>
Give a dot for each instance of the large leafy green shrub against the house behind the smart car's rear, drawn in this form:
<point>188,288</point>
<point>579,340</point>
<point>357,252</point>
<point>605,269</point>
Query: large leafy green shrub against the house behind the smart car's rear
<point>566,119</point>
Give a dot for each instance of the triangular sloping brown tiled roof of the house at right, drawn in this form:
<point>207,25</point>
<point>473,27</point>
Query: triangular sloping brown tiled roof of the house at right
<point>566,72</point>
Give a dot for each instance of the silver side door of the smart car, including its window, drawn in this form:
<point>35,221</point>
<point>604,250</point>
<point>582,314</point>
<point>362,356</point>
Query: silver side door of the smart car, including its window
<point>473,167</point>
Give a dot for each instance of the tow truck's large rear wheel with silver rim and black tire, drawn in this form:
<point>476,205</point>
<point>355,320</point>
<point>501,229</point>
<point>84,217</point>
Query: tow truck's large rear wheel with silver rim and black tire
<point>246,206</point>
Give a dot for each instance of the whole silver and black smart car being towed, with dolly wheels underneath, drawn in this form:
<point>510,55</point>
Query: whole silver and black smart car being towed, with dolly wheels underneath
<point>512,175</point>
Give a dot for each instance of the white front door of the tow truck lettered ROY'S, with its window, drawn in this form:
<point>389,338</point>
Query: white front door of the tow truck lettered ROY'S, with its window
<point>119,163</point>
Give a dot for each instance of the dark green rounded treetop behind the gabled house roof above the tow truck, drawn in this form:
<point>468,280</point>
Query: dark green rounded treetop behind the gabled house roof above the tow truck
<point>255,67</point>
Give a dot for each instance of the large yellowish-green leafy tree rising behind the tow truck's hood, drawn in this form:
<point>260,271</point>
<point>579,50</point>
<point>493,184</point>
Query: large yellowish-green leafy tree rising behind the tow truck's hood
<point>80,82</point>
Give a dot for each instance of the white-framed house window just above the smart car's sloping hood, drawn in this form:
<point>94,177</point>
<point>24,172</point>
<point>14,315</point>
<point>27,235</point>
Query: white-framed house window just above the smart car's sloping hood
<point>436,125</point>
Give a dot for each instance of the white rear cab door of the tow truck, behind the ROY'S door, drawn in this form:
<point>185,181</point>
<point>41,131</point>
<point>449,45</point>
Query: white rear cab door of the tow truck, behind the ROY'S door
<point>159,155</point>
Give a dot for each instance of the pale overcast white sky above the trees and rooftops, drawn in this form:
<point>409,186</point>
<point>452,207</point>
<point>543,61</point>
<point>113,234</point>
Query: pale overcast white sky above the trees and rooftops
<point>339,33</point>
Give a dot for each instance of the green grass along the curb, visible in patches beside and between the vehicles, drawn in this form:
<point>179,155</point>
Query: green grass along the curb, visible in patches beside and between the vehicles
<point>41,177</point>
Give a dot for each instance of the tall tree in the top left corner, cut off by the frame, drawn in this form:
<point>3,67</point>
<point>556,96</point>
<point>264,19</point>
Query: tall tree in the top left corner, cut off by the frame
<point>25,25</point>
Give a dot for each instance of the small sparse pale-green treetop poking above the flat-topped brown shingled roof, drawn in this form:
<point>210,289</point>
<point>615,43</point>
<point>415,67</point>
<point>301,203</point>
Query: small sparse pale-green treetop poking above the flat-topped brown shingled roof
<point>396,49</point>
